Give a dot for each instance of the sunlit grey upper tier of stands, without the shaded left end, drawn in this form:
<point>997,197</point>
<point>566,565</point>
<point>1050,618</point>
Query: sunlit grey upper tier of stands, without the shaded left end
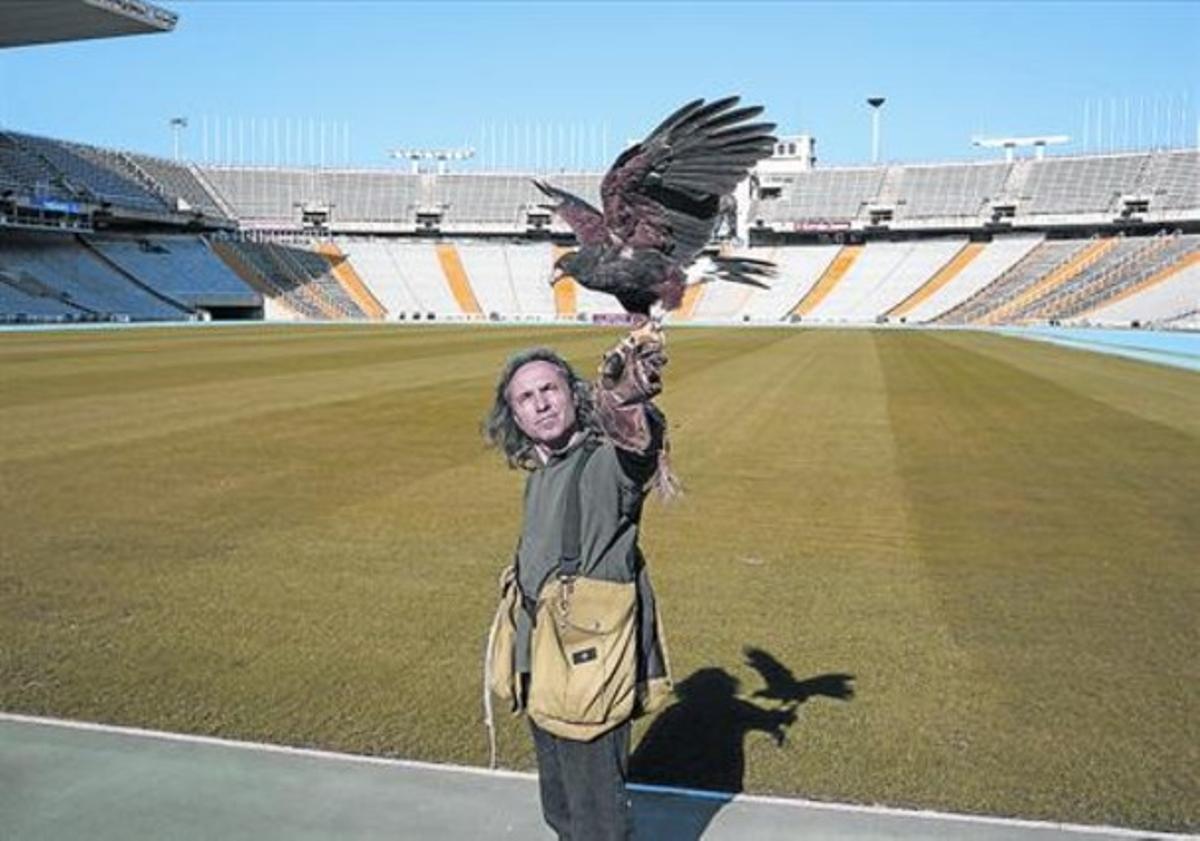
<point>901,196</point>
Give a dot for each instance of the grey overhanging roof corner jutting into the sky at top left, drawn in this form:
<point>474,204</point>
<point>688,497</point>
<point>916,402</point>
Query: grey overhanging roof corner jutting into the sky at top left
<point>34,22</point>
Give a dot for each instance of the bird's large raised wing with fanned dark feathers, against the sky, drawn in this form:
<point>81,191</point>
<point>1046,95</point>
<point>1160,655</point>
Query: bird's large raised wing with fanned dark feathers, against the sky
<point>665,191</point>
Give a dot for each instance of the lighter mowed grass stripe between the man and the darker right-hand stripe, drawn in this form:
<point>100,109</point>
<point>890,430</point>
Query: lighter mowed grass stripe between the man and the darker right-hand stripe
<point>795,539</point>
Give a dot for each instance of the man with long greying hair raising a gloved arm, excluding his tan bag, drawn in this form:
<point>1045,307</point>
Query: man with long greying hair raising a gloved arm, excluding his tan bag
<point>545,419</point>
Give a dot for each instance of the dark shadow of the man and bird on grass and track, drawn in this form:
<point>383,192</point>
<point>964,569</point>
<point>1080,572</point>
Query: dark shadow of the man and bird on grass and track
<point>699,743</point>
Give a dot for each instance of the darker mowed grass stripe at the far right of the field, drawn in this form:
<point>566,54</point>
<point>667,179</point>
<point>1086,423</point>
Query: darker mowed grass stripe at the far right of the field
<point>1060,533</point>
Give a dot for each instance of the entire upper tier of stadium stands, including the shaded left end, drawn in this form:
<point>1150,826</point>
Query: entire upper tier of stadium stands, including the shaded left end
<point>1160,187</point>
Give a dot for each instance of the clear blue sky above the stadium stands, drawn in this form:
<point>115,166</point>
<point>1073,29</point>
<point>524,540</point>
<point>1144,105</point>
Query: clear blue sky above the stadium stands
<point>567,82</point>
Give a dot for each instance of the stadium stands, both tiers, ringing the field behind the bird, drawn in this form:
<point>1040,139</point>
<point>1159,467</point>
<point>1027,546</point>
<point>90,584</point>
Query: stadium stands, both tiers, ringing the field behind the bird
<point>100,235</point>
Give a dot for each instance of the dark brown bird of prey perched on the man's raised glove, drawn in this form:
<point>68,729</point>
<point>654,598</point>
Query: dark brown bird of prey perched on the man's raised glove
<point>662,200</point>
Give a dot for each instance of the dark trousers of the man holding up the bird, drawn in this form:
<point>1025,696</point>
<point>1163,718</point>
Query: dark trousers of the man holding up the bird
<point>583,785</point>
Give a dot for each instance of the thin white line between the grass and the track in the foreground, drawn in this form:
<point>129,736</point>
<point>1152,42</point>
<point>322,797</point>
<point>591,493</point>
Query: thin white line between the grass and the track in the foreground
<point>724,797</point>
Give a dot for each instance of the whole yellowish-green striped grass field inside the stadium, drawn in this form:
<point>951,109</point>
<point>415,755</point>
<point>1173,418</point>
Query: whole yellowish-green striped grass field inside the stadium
<point>293,534</point>
